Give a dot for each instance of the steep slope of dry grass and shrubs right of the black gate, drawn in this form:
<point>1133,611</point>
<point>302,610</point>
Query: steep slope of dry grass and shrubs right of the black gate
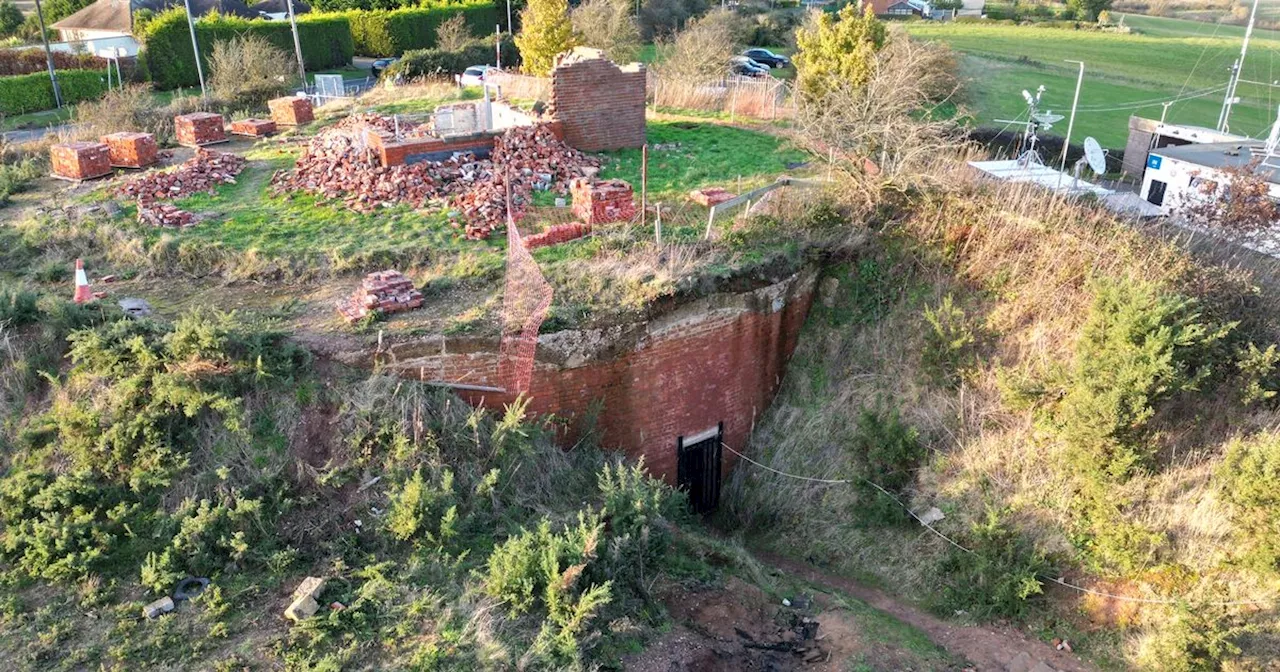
<point>1080,400</point>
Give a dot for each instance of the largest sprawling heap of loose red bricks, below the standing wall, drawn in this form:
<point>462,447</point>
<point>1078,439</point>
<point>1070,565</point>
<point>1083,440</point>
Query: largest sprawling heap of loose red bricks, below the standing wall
<point>340,163</point>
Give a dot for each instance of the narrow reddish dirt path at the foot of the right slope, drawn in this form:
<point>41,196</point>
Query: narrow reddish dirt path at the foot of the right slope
<point>988,648</point>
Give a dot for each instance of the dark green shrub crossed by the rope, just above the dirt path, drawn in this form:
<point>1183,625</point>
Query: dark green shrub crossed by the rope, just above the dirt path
<point>998,578</point>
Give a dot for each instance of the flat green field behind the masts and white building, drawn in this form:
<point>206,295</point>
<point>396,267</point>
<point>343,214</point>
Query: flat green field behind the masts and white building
<point>1171,61</point>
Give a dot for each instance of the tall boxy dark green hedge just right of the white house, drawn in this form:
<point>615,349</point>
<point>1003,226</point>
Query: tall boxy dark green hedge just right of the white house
<point>167,43</point>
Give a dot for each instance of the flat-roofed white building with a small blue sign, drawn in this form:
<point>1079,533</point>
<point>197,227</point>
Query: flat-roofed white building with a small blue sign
<point>1176,176</point>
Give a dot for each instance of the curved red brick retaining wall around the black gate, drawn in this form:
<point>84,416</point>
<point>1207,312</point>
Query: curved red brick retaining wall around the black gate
<point>717,360</point>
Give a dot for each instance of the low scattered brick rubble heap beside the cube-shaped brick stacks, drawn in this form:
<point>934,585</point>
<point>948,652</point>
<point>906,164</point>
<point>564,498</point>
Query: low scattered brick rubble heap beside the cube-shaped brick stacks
<point>202,173</point>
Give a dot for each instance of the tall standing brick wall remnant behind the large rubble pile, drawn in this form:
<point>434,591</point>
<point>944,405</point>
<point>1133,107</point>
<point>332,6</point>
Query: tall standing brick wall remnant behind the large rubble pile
<point>601,104</point>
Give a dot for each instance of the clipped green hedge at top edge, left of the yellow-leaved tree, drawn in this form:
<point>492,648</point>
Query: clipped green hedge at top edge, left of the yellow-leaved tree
<point>391,34</point>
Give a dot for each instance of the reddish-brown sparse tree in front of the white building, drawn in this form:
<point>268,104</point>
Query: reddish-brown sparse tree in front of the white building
<point>1237,204</point>
